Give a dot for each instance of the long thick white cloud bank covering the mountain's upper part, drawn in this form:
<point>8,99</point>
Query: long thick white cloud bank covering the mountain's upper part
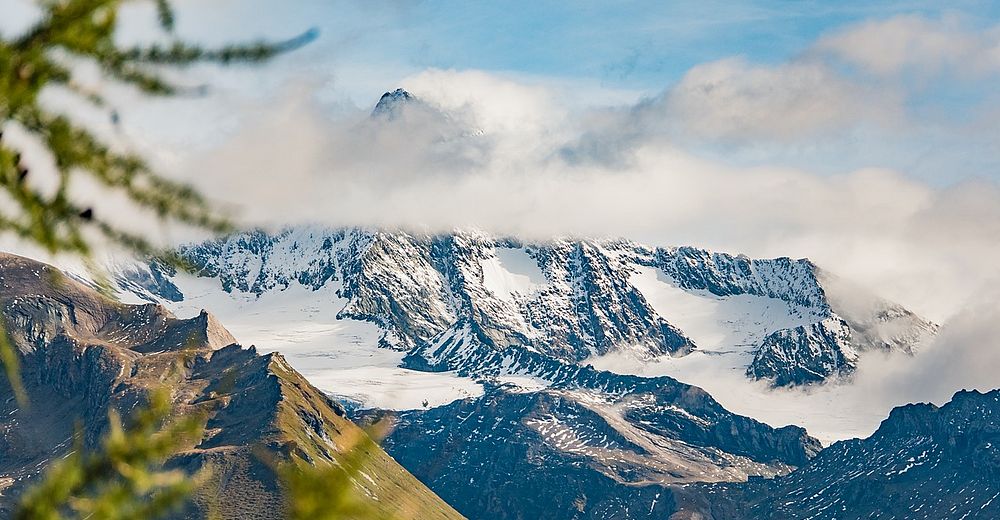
<point>926,247</point>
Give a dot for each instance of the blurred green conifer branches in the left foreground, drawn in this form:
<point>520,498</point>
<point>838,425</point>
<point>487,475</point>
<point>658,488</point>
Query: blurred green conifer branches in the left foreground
<point>124,478</point>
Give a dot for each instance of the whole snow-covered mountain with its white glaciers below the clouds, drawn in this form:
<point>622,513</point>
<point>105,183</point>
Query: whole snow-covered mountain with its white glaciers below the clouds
<point>617,305</point>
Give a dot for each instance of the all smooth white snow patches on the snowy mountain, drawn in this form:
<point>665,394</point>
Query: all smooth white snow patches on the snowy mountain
<point>342,357</point>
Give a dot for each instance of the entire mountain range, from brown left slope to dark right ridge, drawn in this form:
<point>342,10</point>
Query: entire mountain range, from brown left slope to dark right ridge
<point>547,435</point>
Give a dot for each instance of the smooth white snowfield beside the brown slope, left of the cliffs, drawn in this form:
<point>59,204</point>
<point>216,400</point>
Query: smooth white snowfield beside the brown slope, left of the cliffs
<point>340,357</point>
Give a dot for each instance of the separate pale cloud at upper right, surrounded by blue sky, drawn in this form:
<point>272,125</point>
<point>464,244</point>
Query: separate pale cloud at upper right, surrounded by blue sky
<point>871,77</point>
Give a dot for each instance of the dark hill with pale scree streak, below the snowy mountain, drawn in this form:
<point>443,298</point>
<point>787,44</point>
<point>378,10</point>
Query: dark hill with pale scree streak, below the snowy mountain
<point>601,446</point>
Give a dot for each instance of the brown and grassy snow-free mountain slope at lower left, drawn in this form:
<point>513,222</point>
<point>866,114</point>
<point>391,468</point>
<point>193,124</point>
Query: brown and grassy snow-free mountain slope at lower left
<point>82,353</point>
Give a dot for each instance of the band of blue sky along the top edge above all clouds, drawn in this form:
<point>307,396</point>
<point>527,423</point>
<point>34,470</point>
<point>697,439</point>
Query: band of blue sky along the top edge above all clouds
<point>634,45</point>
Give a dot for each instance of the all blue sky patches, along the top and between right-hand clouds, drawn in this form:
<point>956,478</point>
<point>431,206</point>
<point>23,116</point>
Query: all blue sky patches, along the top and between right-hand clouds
<point>617,53</point>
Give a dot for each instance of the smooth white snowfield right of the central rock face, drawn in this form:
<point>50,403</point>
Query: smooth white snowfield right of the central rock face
<point>726,329</point>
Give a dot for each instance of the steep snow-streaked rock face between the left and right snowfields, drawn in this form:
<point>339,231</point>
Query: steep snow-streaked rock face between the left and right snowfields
<point>416,287</point>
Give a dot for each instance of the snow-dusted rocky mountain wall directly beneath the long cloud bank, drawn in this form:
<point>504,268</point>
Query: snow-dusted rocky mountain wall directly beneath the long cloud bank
<point>784,320</point>
